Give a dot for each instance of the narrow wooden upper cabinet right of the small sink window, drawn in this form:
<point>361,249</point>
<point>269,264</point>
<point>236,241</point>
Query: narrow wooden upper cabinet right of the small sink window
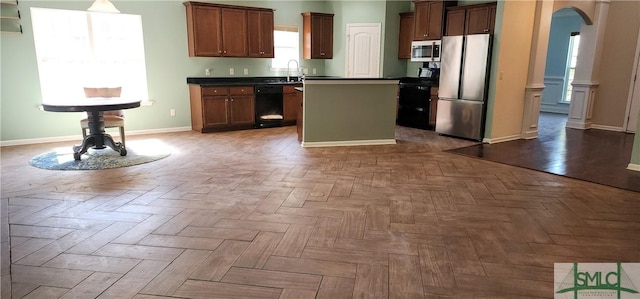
<point>317,32</point>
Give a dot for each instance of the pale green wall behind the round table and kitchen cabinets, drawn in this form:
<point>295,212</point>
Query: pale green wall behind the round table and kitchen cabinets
<point>167,61</point>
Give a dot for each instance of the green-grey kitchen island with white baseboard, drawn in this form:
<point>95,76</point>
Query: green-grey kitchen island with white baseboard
<point>349,111</point>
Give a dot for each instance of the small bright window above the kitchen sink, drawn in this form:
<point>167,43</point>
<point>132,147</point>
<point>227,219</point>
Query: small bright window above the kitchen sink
<point>286,44</point>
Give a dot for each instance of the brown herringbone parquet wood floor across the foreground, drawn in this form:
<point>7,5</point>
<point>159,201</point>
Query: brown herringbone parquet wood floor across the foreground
<point>251,214</point>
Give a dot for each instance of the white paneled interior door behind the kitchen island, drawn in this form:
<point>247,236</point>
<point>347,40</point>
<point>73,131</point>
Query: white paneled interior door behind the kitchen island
<point>363,50</point>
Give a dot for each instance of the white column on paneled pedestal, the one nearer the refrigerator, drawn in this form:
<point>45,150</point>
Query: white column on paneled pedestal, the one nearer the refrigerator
<point>535,76</point>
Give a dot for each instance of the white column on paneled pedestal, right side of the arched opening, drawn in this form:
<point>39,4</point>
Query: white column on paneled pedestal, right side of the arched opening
<point>585,83</point>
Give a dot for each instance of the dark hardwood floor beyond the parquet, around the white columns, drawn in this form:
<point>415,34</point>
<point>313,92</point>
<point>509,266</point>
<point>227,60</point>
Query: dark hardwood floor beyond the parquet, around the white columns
<point>592,155</point>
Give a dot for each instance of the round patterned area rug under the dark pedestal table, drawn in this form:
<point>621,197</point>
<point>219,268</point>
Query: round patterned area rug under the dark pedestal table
<point>62,158</point>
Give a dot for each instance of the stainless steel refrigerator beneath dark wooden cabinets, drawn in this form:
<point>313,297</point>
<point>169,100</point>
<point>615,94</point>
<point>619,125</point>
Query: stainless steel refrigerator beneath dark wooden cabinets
<point>464,78</point>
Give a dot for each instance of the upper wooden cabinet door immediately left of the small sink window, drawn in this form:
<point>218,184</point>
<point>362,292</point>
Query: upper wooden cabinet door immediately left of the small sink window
<point>260,25</point>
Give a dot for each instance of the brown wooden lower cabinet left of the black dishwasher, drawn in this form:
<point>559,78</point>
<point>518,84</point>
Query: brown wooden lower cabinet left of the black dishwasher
<point>218,108</point>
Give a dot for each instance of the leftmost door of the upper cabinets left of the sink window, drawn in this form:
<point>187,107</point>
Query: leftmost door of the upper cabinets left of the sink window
<point>203,24</point>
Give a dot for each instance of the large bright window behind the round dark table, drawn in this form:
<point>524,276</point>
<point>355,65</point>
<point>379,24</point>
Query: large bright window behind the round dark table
<point>77,49</point>
